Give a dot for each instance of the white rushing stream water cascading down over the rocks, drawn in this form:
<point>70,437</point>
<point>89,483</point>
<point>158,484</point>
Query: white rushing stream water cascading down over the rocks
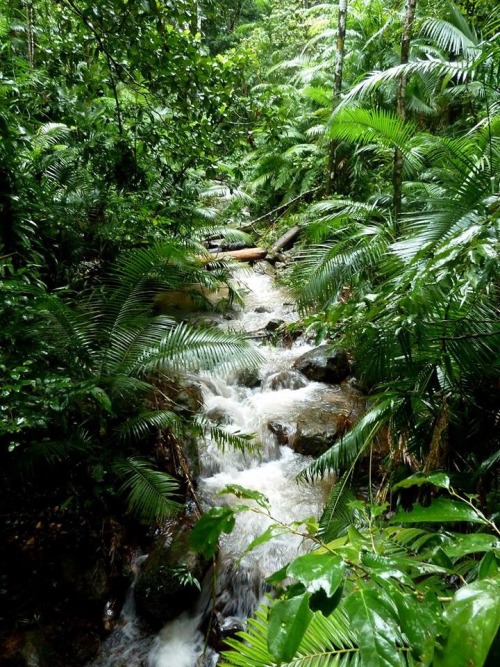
<point>271,469</point>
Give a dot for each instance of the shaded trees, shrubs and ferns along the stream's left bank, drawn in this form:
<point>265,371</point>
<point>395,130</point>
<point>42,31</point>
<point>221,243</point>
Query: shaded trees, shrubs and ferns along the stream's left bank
<point>112,117</point>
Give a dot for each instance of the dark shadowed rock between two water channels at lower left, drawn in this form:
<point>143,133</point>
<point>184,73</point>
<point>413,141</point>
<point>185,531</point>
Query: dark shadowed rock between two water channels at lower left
<point>165,586</point>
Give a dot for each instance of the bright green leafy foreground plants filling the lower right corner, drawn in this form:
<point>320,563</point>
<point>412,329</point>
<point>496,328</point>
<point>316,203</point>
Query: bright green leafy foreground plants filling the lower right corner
<point>384,589</point>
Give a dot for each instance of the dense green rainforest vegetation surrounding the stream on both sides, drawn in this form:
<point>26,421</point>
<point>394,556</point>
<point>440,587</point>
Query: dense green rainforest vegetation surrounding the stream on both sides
<point>131,131</point>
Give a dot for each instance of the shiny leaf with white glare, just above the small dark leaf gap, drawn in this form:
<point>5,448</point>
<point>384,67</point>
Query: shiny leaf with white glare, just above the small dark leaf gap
<point>318,571</point>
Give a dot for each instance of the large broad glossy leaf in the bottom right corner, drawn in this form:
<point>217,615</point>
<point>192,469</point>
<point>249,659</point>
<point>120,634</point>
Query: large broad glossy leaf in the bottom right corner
<point>473,619</point>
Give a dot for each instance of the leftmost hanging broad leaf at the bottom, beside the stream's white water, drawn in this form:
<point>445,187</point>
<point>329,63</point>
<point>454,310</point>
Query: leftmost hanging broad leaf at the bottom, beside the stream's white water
<point>288,621</point>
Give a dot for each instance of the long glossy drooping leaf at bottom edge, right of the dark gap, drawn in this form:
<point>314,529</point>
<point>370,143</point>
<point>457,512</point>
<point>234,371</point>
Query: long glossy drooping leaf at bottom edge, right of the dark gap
<point>375,628</point>
